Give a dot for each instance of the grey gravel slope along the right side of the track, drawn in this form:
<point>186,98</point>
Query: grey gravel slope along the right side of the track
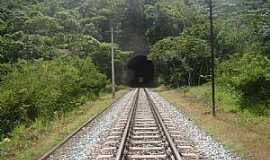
<point>203,142</point>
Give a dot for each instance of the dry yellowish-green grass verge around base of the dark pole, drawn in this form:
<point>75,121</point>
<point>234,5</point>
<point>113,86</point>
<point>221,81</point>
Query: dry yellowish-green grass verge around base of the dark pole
<point>240,130</point>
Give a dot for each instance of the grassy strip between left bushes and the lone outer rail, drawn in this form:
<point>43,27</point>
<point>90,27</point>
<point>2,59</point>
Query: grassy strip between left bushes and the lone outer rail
<point>31,142</point>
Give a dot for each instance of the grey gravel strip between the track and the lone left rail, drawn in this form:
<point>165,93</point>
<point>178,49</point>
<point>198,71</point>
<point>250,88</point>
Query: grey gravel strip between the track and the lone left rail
<point>85,144</point>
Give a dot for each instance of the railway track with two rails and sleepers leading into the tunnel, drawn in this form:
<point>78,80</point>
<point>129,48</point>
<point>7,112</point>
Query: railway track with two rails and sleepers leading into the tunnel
<point>145,132</point>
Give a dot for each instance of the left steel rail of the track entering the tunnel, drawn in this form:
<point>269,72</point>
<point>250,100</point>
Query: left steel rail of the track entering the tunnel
<point>121,149</point>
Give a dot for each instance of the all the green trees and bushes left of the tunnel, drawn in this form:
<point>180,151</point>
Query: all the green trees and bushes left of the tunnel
<point>54,56</point>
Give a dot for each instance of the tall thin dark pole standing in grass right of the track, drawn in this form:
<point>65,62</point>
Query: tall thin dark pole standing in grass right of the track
<point>212,57</point>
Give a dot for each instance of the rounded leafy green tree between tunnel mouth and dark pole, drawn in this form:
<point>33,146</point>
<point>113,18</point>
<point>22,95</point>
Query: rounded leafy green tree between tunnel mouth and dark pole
<point>182,60</point>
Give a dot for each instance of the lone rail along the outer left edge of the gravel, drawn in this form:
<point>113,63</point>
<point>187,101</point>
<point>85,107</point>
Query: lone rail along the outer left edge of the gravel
<point>59,145</point>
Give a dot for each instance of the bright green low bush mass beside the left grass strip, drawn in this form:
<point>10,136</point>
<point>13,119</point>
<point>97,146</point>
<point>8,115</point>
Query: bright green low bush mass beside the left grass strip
<point>46,88</point>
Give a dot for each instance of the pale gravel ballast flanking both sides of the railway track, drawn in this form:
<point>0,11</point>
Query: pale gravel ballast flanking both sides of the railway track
<point>87,142</point>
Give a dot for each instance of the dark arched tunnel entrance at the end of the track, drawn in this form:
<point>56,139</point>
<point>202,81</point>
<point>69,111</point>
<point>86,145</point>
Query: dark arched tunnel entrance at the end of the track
<point>140,72</point>
